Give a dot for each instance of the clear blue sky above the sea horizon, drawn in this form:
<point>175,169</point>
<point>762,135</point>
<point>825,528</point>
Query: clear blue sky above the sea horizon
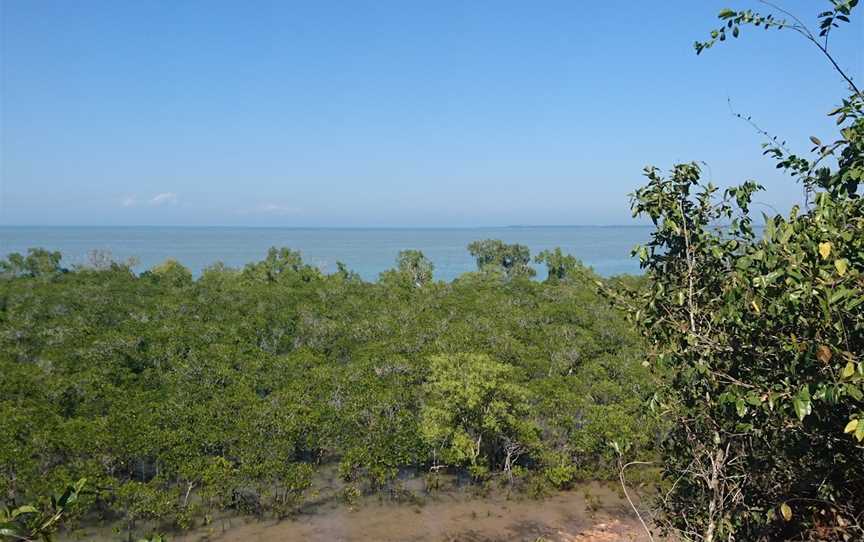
<point>390,113</point>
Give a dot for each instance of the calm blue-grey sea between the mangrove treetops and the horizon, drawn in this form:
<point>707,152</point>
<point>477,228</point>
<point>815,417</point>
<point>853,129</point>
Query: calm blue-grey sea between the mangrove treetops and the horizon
<point>367,251</point>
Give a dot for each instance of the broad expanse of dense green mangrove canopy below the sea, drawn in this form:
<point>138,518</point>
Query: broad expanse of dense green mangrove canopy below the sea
<point>184,398</point>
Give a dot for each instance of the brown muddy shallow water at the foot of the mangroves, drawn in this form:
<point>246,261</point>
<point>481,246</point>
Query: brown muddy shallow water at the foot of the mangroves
<point>571,516</point>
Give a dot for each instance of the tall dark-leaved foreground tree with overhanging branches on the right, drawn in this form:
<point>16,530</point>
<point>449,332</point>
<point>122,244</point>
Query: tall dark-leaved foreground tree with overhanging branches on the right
<point>761,338</point>
